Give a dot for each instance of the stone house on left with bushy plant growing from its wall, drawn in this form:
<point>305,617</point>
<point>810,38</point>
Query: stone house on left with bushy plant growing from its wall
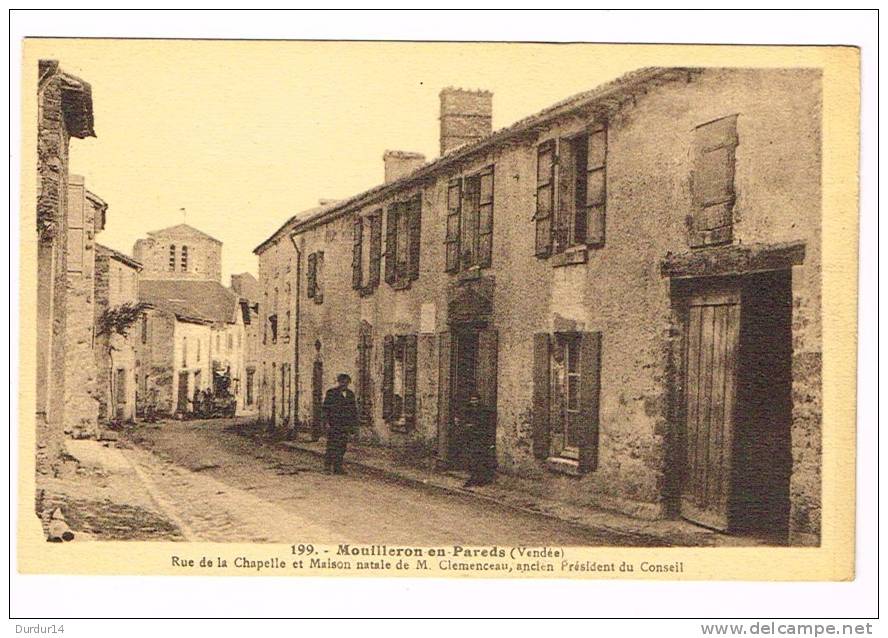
<point>117,365</point>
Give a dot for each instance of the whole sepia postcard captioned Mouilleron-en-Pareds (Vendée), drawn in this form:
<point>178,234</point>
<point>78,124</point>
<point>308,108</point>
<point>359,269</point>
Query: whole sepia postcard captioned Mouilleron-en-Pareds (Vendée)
<point>438,309</point>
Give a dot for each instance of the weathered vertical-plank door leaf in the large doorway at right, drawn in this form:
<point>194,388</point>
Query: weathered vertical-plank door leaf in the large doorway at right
<point>712,339</point>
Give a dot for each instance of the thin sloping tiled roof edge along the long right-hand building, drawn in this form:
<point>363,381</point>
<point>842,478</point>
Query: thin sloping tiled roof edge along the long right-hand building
<point>605,96</point>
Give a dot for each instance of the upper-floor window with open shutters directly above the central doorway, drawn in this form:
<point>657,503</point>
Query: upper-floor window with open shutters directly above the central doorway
<point>469,239</point>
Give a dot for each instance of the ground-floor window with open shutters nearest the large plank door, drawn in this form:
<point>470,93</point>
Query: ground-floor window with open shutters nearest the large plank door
<point>566,394</point>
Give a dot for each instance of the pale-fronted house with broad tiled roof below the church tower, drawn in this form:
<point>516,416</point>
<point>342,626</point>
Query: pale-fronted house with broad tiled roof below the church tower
<point>192,337</point>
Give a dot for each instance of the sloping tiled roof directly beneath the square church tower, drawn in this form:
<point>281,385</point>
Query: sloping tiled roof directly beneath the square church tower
<point>204,300</point>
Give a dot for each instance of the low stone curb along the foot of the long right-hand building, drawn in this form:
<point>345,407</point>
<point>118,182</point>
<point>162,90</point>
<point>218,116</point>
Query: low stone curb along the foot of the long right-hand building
<point>394,477</point>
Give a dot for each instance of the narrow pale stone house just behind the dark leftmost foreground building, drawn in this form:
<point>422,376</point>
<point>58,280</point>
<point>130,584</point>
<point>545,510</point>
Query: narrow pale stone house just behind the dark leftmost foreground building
<point>86,218</point>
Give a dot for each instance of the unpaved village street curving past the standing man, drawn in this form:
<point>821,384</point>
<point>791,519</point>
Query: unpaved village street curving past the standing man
<point>218,485</point>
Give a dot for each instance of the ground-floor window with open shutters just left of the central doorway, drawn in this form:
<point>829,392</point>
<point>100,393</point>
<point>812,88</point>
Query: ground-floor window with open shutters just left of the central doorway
<point>399,380</point>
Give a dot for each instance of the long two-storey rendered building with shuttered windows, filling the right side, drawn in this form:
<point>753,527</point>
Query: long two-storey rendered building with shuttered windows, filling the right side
<point>629,280</point>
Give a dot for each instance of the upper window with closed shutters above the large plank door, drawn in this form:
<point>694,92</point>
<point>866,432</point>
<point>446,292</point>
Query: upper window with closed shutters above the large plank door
<point>712,182</point>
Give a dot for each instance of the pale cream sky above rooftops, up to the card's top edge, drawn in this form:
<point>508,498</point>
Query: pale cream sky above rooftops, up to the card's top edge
<point>242,135</point>
